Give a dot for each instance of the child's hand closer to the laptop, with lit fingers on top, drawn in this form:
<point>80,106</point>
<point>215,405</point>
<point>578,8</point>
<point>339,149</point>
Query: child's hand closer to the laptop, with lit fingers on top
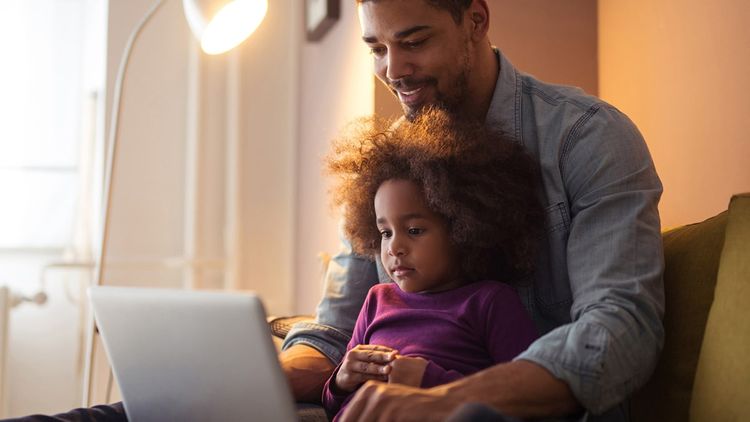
<point>362,363</point>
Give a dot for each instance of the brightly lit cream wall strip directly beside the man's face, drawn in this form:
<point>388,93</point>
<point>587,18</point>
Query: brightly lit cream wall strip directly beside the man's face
<point>336,86</point>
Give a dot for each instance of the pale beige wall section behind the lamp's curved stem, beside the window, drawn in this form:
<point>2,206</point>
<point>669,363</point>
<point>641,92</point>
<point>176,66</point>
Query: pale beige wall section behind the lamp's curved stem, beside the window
<point>148,192</point>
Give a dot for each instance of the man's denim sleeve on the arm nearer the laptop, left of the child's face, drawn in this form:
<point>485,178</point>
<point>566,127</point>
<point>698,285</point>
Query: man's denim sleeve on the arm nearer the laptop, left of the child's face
<point>348,278</point>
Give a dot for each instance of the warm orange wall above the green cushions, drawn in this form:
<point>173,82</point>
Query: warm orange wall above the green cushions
<point>680,70</point>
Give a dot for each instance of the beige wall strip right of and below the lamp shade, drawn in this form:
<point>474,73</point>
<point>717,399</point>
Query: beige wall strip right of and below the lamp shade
<point>267,102</point>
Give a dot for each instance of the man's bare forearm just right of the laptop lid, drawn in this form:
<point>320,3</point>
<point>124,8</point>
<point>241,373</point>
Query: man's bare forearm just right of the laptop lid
<point>307,371</point>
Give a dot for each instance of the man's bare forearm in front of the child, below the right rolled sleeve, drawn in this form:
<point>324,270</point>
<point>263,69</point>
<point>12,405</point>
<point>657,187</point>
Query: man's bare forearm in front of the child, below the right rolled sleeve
<point>520,388</point>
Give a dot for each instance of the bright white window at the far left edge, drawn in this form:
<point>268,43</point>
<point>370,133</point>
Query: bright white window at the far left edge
<point>51,79</point>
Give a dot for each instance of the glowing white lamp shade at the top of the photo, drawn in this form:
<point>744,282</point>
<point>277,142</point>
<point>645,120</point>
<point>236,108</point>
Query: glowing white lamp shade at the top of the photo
<point>220,25</point>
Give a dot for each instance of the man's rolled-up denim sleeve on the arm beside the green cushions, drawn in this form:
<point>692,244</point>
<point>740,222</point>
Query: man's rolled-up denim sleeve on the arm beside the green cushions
<point>615,264</point>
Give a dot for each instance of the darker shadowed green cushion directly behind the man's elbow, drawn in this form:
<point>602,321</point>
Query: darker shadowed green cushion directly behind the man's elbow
<point>691,256</point>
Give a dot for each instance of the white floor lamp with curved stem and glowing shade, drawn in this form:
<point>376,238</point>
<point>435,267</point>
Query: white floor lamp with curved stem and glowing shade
<point>220,25</point>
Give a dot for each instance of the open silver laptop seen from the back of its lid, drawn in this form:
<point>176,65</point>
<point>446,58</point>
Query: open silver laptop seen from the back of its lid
<point>181,355</point>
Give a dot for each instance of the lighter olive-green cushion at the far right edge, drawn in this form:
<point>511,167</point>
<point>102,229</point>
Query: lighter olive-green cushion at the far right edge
<point>722,380</point>
